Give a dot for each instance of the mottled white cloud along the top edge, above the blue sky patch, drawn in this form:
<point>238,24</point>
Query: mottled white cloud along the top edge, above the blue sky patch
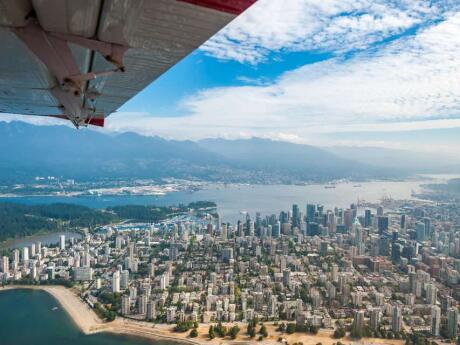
<point>335,26</point>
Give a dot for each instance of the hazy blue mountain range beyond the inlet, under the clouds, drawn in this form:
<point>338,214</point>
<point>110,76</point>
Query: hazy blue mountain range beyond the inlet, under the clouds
<point>27,151</point>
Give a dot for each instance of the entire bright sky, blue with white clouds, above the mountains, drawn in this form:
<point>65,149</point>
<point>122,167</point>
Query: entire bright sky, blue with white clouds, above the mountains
<point>329,72</point>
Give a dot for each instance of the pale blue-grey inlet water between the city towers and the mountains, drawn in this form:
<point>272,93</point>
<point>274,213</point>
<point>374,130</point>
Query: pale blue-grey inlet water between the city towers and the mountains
<point>235,199</point>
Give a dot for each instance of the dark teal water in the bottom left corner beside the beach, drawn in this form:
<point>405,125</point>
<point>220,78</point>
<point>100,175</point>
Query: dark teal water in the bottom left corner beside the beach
<point>27,318</point>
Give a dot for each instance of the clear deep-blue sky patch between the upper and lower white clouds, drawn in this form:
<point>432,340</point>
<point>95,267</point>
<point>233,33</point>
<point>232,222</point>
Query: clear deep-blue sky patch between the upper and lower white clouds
<point>201,71</point>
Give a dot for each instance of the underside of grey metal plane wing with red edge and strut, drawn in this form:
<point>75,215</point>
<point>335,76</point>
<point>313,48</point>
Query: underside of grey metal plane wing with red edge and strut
<point>82,59</point>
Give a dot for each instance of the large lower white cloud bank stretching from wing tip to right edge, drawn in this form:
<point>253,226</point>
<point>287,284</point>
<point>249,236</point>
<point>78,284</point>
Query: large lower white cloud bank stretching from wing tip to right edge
<point>412,83</point>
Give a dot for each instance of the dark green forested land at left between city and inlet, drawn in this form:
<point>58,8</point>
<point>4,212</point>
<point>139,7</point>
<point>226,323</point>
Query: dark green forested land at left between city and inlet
<point>18,220</point>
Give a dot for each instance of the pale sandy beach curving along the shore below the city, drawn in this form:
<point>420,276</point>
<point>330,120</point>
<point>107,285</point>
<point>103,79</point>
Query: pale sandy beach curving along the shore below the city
<point>89,323</point>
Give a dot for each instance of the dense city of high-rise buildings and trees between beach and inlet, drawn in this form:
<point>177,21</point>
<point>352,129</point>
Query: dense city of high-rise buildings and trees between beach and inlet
<point>386,271</point>
